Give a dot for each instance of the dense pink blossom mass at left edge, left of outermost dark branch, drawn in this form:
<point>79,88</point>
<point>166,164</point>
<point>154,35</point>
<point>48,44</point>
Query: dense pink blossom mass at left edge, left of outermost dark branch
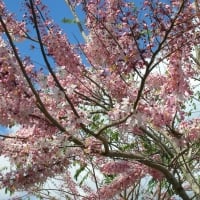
<point>16,98</point>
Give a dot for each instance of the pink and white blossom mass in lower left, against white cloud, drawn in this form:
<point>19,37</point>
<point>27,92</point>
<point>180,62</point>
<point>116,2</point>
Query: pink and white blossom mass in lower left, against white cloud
<point>35,161</point>
